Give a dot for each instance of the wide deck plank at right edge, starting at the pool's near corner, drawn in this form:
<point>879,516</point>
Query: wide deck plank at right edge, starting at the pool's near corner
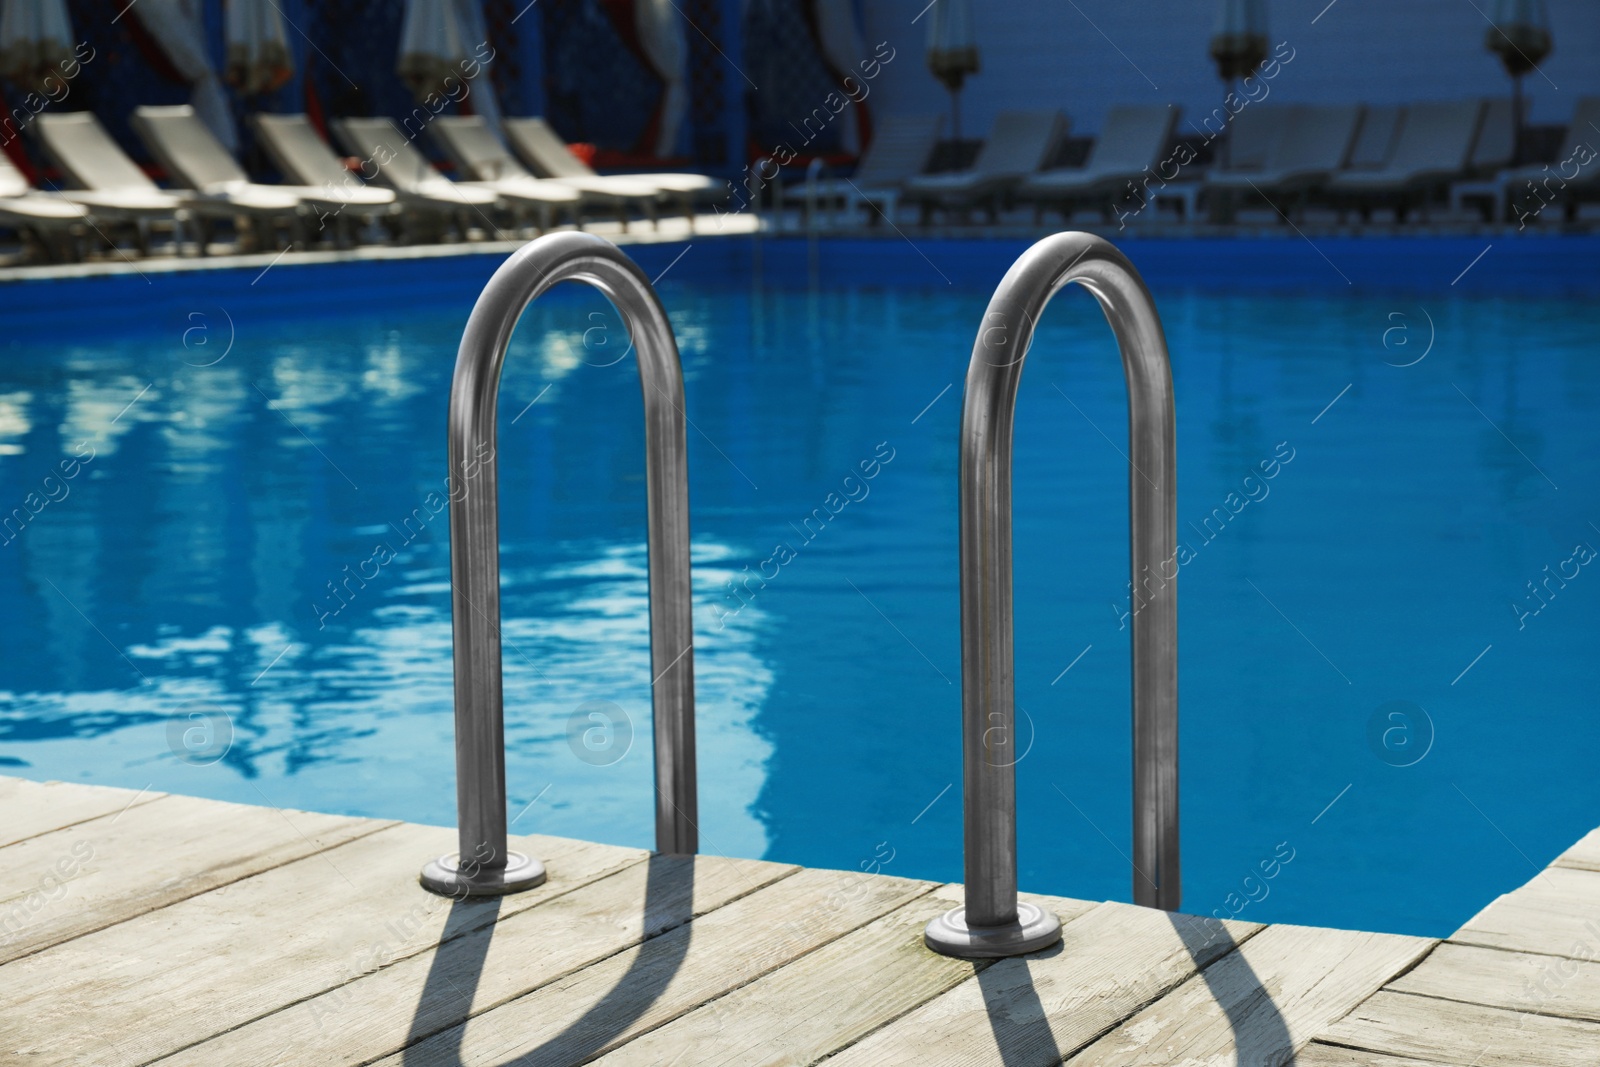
<point>1553,914</point>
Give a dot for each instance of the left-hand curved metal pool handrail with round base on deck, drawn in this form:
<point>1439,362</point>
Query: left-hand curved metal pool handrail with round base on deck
<point>486,866</point>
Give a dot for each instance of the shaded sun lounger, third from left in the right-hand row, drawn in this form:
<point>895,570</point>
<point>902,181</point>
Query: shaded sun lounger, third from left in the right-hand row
<point>1126,153</point>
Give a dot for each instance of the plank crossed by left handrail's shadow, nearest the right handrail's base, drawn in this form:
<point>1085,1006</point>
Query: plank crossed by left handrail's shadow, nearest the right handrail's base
<point>612,1002</point>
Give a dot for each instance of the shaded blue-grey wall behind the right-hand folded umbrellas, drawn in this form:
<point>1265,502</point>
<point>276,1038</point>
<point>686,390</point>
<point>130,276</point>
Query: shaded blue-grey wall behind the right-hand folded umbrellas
<point>1039,54</point>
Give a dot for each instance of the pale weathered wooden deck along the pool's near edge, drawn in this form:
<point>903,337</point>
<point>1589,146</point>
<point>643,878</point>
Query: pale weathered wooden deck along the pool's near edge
<point>140,929</point>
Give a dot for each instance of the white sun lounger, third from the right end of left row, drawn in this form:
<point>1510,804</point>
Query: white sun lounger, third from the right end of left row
<point>404,169</point>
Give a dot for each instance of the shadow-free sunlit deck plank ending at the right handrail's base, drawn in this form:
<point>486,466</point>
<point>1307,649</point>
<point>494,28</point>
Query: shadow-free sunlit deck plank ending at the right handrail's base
<point>822,1002</point>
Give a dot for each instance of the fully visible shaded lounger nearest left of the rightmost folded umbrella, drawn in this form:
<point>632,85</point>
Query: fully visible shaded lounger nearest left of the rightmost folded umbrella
<point>1431,151</point>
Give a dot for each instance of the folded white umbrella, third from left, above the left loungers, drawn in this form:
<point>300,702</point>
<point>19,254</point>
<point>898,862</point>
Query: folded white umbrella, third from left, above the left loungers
<point>441,41</point>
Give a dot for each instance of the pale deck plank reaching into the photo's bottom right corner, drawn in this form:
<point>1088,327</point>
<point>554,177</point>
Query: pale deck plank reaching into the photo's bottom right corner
<point>1465,1036</point>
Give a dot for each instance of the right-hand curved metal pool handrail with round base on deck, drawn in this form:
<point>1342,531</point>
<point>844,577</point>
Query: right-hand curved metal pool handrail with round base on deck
<point>994,922</point>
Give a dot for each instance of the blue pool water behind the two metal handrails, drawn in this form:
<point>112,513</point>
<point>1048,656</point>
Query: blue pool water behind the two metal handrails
<point>1366,713</point>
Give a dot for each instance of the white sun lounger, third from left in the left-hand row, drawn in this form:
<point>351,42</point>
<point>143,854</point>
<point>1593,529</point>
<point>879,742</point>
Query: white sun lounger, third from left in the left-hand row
<point>193,156</point>
